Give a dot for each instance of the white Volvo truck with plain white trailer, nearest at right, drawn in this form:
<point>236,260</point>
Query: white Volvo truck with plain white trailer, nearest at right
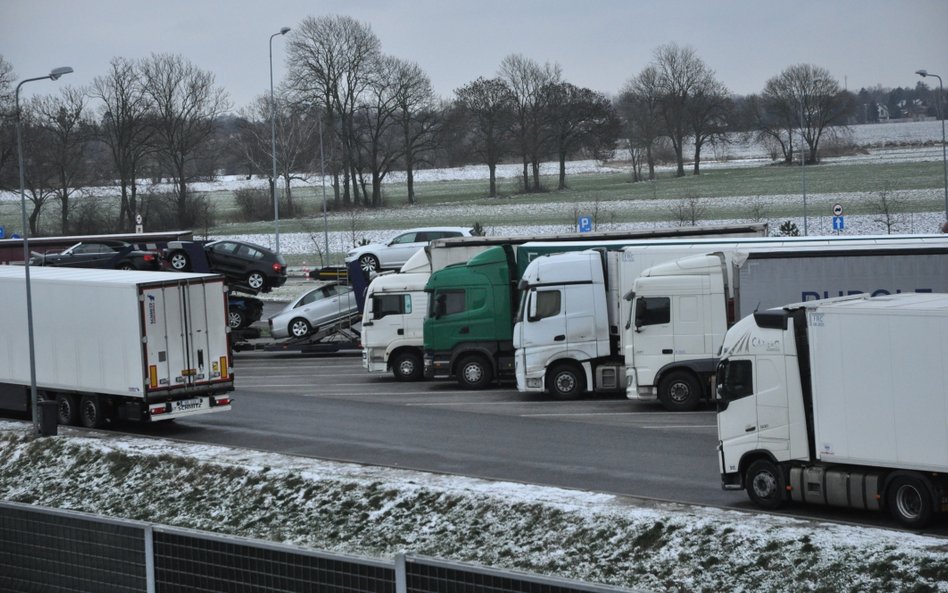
<point>841,402</point>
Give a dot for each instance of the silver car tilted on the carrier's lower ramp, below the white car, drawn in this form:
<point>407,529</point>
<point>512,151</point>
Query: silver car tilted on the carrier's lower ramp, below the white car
<point>314,309</point>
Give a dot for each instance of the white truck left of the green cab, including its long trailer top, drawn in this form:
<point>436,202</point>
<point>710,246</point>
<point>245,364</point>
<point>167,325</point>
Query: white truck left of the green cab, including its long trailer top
<point>396,304</point>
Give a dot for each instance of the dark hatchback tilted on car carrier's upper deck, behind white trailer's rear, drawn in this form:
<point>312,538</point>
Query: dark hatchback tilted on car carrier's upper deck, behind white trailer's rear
<point>244,264</point>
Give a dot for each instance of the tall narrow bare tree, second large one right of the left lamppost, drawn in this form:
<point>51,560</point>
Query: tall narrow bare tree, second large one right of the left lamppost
<point>126,129</point>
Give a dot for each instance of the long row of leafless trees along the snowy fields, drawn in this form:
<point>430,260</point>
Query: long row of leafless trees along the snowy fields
<point>355,114</point>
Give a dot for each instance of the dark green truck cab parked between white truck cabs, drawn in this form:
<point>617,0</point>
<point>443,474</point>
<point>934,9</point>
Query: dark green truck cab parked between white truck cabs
<point>468,334</point>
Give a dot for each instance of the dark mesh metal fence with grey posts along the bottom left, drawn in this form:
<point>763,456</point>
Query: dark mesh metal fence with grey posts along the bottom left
<point>60,551</point>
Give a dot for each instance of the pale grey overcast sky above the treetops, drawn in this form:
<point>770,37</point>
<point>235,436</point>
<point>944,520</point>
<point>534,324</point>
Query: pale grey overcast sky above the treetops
<point>599,44</point>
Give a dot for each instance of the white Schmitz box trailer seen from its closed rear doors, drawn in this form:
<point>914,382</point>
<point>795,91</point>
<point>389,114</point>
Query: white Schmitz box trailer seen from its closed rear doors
<point>143,346</point>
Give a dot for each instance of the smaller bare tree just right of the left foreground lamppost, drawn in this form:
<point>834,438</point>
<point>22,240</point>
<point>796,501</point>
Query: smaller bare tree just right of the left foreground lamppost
<point>67,135</point>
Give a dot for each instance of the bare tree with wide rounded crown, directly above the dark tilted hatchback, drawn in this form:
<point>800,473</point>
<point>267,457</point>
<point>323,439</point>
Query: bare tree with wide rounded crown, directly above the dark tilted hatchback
<point>186,102</point>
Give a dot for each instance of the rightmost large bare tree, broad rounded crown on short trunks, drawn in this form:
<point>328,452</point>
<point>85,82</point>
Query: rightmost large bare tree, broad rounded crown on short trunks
<point>806,98</point>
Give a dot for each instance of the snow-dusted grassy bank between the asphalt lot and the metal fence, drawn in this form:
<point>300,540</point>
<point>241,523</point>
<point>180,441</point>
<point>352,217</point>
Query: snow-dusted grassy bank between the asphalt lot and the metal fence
<point>378,512</point>
